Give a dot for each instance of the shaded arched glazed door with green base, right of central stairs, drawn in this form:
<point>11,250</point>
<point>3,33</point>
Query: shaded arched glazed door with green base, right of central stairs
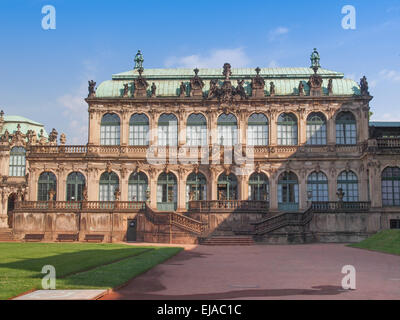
<point>288,191</point>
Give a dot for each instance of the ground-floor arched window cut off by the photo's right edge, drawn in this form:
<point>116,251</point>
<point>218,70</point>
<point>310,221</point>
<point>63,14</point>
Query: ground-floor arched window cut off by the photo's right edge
<point>391,187</point>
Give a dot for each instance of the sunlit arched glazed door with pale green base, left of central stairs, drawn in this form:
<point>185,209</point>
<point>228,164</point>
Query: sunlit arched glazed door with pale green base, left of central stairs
<point>167,192</point>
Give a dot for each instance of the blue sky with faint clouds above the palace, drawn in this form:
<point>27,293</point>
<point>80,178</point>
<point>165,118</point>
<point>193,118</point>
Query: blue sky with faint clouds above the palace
<point>44,73</point>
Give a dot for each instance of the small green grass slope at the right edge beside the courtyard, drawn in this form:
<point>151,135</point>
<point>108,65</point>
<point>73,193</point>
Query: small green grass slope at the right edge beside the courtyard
<point>387,241</point>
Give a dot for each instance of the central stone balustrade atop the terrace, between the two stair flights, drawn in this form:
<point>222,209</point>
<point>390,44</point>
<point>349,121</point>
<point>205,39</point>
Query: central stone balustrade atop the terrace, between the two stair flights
<point>228,205</point>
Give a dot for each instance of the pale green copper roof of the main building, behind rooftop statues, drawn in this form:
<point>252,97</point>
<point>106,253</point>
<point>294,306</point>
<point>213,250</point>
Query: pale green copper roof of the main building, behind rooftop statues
<point>286,81</point>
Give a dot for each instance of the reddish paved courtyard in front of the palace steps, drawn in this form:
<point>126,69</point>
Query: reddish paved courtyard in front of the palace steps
<point>267,272</point>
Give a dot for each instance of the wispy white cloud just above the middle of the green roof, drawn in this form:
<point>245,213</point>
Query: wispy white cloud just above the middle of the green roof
<point>216,59</point>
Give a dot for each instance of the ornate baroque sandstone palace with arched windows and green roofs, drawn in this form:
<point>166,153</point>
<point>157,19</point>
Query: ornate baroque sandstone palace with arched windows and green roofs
<point>180,155</point>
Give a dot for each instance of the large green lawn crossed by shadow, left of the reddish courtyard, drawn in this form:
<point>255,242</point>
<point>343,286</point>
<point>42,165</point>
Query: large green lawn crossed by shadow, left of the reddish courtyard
<point>78,265</point>
